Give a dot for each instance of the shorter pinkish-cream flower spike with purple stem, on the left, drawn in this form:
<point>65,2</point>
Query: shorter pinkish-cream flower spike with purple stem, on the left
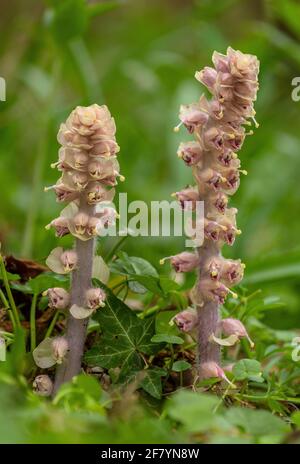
<point>88,169</point>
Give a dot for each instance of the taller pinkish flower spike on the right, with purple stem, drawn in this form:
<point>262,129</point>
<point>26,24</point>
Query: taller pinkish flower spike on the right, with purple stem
<point>218,128</point>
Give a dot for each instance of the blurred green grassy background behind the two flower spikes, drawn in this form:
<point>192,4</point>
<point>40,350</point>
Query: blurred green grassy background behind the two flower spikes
<point>139,57</point>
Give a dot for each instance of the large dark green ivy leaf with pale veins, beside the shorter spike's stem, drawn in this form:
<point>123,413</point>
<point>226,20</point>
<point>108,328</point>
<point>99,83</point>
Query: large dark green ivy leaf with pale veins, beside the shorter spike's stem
<point>125,336</point>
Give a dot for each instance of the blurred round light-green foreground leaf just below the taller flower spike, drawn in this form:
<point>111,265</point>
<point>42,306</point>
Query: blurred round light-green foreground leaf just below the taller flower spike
<point>193,410</point>
